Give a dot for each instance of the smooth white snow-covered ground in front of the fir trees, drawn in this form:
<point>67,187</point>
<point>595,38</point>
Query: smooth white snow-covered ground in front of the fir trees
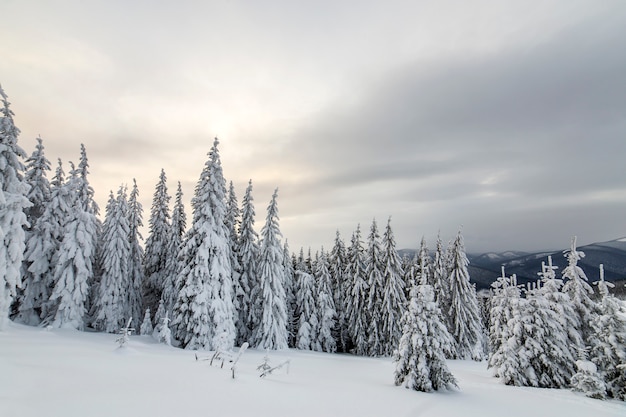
<point>69,373</point>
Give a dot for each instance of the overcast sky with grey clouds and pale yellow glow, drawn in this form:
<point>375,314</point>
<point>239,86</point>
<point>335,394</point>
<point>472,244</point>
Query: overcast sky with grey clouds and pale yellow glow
<point>505,117</point>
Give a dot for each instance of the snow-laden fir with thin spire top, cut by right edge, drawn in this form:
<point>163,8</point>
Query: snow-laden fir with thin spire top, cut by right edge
<point>608,344</point>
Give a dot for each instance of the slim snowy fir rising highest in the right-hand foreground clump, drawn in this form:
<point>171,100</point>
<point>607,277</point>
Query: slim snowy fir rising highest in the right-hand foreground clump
<point>579,291</point>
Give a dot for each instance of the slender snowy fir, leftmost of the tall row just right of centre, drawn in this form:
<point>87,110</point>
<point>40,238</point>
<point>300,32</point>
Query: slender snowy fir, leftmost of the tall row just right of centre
<point>338,260</point>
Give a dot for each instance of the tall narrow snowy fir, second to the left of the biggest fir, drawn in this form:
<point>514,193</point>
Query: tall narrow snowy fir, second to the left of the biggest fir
<point>156,252</point>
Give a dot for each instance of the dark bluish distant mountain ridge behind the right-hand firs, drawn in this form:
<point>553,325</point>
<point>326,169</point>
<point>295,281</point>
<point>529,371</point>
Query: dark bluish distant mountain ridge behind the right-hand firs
<point>486,267</point>
